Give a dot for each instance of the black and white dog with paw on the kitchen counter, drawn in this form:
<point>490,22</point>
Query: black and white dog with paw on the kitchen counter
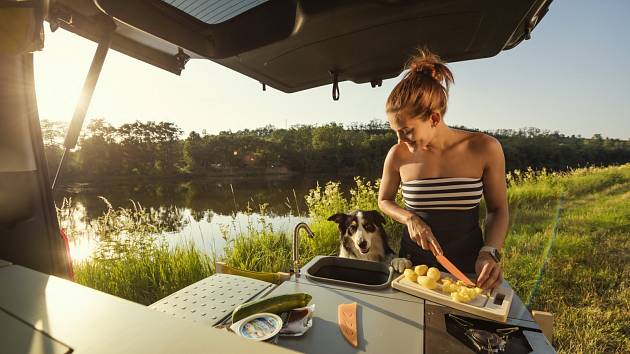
<point>362,236</point>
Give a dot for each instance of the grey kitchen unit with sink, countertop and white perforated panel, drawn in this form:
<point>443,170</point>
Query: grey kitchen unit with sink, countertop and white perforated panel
<point>387,319</point>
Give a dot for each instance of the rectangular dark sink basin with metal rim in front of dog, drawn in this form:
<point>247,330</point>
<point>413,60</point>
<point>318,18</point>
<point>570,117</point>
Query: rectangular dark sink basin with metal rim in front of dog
<point>350,272</point>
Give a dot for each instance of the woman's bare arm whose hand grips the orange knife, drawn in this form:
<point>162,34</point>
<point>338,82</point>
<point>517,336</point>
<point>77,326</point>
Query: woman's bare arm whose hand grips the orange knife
<point>419,231</point>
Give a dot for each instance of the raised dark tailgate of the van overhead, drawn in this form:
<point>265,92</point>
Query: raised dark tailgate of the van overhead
<point>293,45</point>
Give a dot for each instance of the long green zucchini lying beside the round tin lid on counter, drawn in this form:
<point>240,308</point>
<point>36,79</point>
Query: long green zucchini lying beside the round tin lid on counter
<point>274,304</point>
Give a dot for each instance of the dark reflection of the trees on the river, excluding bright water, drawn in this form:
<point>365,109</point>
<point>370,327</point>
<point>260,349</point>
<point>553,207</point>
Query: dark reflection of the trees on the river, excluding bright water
<point>285,195</point>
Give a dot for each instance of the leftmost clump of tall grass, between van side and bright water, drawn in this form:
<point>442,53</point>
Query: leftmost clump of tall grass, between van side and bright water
<point>132,261</point>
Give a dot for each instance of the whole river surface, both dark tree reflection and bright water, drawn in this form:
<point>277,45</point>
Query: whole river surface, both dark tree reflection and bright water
<point>203,211</point>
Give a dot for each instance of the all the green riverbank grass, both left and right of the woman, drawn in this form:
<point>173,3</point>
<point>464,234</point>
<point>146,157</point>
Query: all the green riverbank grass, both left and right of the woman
<point>585,280</point>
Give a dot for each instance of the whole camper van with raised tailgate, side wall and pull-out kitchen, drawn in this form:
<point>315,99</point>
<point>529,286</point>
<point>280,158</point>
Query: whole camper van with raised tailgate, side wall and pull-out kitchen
<point>288,45</point>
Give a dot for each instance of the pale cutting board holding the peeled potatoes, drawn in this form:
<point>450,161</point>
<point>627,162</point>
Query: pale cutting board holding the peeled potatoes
<point>482,305</point>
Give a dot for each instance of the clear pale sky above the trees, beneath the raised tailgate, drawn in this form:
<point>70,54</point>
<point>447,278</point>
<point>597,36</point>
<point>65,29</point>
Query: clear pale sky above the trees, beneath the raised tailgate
<point>571,77</point>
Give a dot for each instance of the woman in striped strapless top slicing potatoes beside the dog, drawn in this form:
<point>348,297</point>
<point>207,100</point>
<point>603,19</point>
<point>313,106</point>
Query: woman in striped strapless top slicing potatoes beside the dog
<point>444,172</point>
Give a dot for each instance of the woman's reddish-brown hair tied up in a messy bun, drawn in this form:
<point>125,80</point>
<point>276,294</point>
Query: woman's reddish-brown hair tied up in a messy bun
<point>424,88</point>
